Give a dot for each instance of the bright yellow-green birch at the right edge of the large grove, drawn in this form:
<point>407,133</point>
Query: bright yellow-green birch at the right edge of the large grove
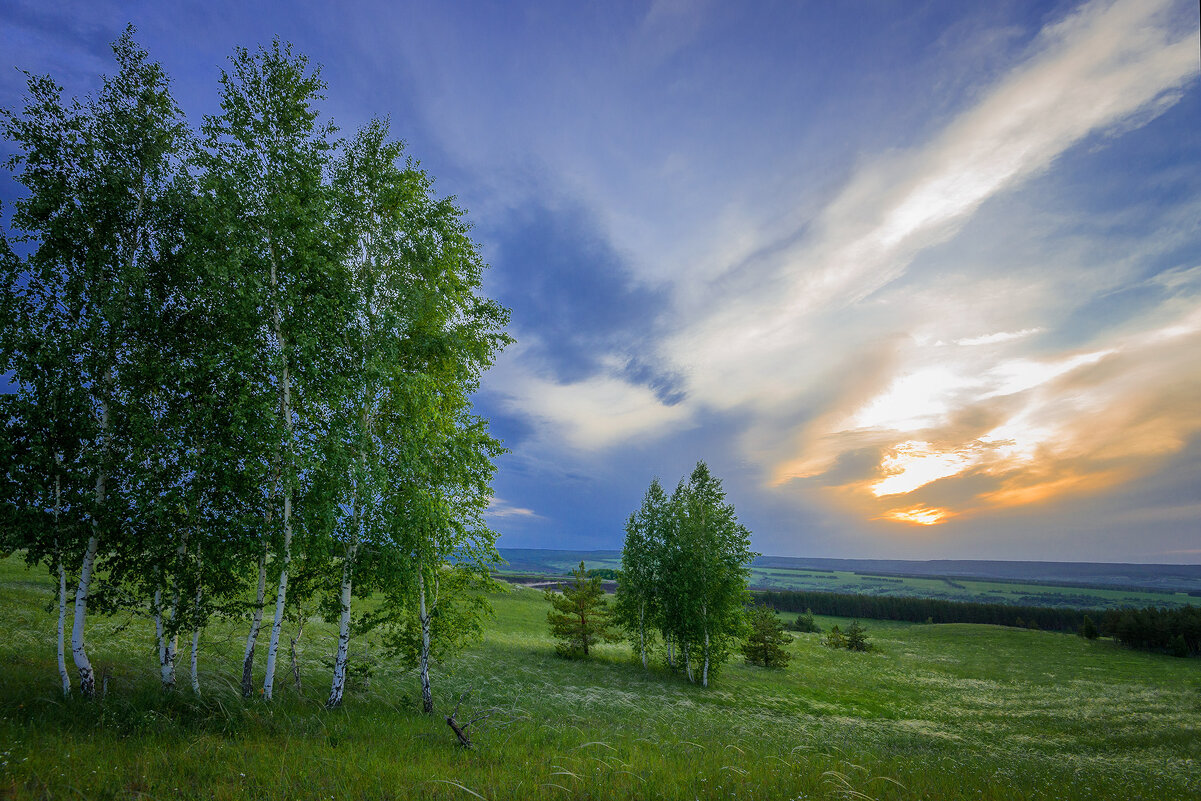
<point>440,465</point>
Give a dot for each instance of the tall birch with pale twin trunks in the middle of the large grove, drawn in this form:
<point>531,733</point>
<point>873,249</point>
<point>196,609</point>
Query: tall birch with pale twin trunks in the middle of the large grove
<point>267,158</point>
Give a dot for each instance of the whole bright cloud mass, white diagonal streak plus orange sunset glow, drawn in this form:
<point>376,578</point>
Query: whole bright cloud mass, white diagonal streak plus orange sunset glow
<point>936,402</point>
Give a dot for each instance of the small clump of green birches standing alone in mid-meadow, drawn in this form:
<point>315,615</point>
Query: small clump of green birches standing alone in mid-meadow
<point>684,576</point>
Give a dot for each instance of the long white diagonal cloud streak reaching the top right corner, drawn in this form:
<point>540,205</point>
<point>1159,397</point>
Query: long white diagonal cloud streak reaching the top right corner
<point>1106,67</point>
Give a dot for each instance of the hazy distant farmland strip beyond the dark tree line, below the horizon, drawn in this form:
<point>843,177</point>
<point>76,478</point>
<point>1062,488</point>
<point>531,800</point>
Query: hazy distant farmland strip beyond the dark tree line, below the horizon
<point>946,588</point>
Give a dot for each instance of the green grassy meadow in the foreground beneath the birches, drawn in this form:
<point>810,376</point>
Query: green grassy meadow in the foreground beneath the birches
<point>936,713</point>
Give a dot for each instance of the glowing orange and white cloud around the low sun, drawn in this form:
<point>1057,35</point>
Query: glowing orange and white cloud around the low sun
<point>1077,425</point>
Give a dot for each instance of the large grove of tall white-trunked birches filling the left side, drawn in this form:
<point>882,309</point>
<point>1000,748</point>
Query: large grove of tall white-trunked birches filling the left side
<point>243,358</point>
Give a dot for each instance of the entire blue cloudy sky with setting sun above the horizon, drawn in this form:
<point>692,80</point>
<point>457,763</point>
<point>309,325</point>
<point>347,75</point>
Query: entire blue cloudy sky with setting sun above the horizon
<point>917,280</point>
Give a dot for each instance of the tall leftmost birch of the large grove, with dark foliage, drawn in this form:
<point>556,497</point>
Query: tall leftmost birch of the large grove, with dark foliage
<point>98,172</point>
